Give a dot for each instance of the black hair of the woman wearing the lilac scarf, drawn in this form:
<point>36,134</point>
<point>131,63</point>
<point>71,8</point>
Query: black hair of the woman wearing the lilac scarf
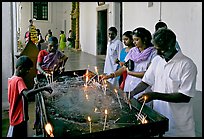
<point>144,34</point>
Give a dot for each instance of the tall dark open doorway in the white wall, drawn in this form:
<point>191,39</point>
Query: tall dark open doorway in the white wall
<point>102,32</point>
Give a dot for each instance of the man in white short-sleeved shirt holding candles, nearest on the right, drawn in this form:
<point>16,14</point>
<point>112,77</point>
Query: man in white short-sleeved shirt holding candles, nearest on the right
<point>172,76</point>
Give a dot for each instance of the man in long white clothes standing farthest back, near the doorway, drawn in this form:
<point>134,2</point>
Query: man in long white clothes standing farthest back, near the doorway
<point>114,48</point>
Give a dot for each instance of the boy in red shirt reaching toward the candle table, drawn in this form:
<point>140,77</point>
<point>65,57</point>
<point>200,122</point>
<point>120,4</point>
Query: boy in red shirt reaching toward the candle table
<point>18,95</point>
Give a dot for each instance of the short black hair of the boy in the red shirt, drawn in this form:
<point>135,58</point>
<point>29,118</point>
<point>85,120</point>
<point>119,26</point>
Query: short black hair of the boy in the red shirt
<point>24,61</point>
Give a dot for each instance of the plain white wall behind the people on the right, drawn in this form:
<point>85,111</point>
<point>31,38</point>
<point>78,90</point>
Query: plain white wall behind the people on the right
<point>184,18</point>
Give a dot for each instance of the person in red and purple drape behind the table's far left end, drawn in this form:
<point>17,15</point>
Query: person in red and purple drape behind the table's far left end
<point>51,60</point>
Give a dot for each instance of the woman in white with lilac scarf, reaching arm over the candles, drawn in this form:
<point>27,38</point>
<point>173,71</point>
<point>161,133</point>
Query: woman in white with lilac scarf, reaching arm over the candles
<point>141,55</point>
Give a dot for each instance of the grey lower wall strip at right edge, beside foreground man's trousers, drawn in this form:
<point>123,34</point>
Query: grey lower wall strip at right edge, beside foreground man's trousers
<point>197,110</point>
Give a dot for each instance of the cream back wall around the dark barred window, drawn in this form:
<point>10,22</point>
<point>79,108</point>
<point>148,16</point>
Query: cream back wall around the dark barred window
<point>58,12</point>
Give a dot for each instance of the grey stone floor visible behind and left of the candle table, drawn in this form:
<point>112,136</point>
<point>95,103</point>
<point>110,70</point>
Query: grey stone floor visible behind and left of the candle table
<point>77,60</point>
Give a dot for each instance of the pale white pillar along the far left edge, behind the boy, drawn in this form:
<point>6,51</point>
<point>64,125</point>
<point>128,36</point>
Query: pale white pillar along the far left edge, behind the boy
<point>7,53</point>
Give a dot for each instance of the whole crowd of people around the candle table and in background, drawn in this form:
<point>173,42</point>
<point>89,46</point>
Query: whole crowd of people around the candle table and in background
<point>151,66</point>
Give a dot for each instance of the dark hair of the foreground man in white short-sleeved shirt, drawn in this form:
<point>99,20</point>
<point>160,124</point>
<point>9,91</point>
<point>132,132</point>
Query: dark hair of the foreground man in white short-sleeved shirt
<point>164,38</point>
